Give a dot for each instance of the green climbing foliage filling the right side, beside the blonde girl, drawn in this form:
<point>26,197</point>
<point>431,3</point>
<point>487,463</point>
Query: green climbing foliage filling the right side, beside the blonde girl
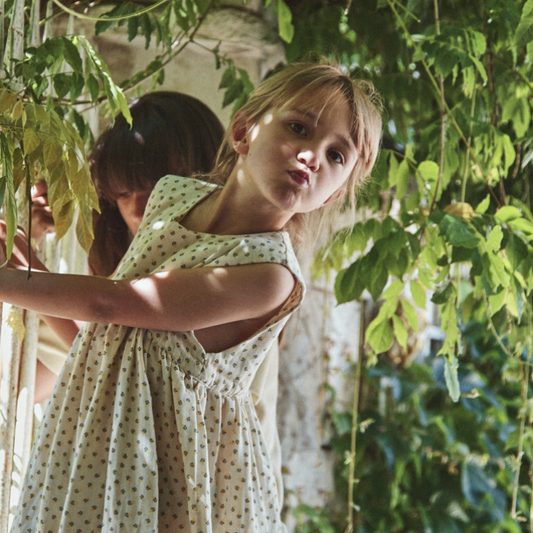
<point>447,214</point>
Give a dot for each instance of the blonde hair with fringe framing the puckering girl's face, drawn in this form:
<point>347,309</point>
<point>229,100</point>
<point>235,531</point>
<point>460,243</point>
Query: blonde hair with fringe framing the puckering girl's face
<point>315,85</point>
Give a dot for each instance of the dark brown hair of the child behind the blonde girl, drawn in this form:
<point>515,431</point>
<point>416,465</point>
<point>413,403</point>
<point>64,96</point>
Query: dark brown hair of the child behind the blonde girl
<point>172,133</point>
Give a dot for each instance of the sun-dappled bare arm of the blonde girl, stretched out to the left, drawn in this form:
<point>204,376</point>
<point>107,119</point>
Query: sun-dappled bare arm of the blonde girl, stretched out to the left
<point>178,300</point>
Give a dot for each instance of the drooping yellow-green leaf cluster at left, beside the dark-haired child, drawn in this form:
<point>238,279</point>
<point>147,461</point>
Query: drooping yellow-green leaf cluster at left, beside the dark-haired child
<point>42,134</point>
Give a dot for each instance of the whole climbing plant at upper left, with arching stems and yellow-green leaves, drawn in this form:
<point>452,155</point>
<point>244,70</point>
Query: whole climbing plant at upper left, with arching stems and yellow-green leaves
<point>48,82</point>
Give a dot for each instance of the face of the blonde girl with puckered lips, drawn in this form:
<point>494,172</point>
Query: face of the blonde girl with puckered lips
<point>300,158</point>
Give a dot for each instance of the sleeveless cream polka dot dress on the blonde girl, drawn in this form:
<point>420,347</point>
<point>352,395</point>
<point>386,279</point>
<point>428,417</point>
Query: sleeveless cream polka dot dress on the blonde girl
<point>146,431</point>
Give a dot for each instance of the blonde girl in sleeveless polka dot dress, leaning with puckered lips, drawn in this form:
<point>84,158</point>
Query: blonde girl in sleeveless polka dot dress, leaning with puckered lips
<point>151,426</point>
